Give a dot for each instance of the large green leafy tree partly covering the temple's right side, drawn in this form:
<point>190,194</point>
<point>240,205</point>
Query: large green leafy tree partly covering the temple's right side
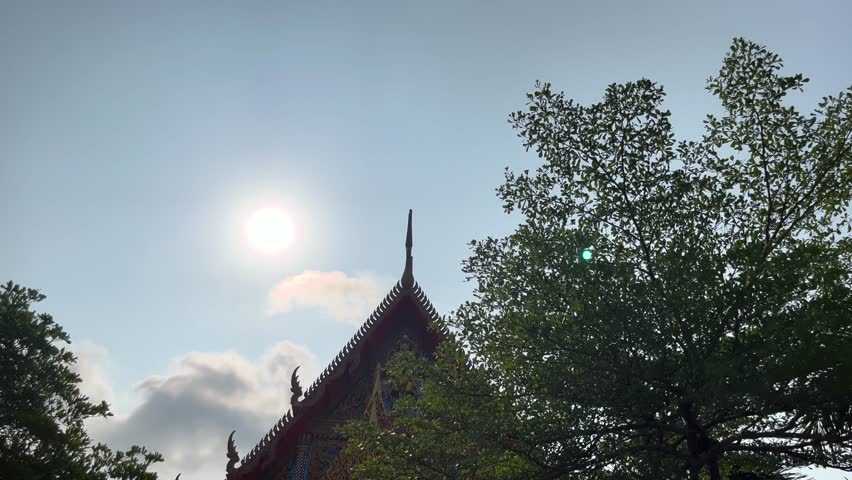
<point>708,335</point>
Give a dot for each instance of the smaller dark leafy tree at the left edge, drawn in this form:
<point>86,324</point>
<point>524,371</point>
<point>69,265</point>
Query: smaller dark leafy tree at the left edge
<point>42,436</point>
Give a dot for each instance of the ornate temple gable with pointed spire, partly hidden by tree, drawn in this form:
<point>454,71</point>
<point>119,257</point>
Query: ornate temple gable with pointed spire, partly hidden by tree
<point>304,443</point>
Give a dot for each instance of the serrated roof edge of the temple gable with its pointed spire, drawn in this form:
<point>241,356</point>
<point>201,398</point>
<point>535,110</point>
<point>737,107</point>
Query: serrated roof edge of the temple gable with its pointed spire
<point>347,359</point>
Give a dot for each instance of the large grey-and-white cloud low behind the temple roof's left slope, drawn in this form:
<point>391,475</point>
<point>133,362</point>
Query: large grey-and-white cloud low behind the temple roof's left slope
<point>188,413</point>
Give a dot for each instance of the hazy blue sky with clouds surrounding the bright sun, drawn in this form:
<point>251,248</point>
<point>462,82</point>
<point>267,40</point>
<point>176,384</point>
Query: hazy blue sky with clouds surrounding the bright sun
<point>136,138</point>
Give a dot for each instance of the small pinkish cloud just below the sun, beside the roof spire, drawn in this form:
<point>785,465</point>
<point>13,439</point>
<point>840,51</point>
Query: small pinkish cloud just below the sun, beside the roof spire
<point>345,298</point>
